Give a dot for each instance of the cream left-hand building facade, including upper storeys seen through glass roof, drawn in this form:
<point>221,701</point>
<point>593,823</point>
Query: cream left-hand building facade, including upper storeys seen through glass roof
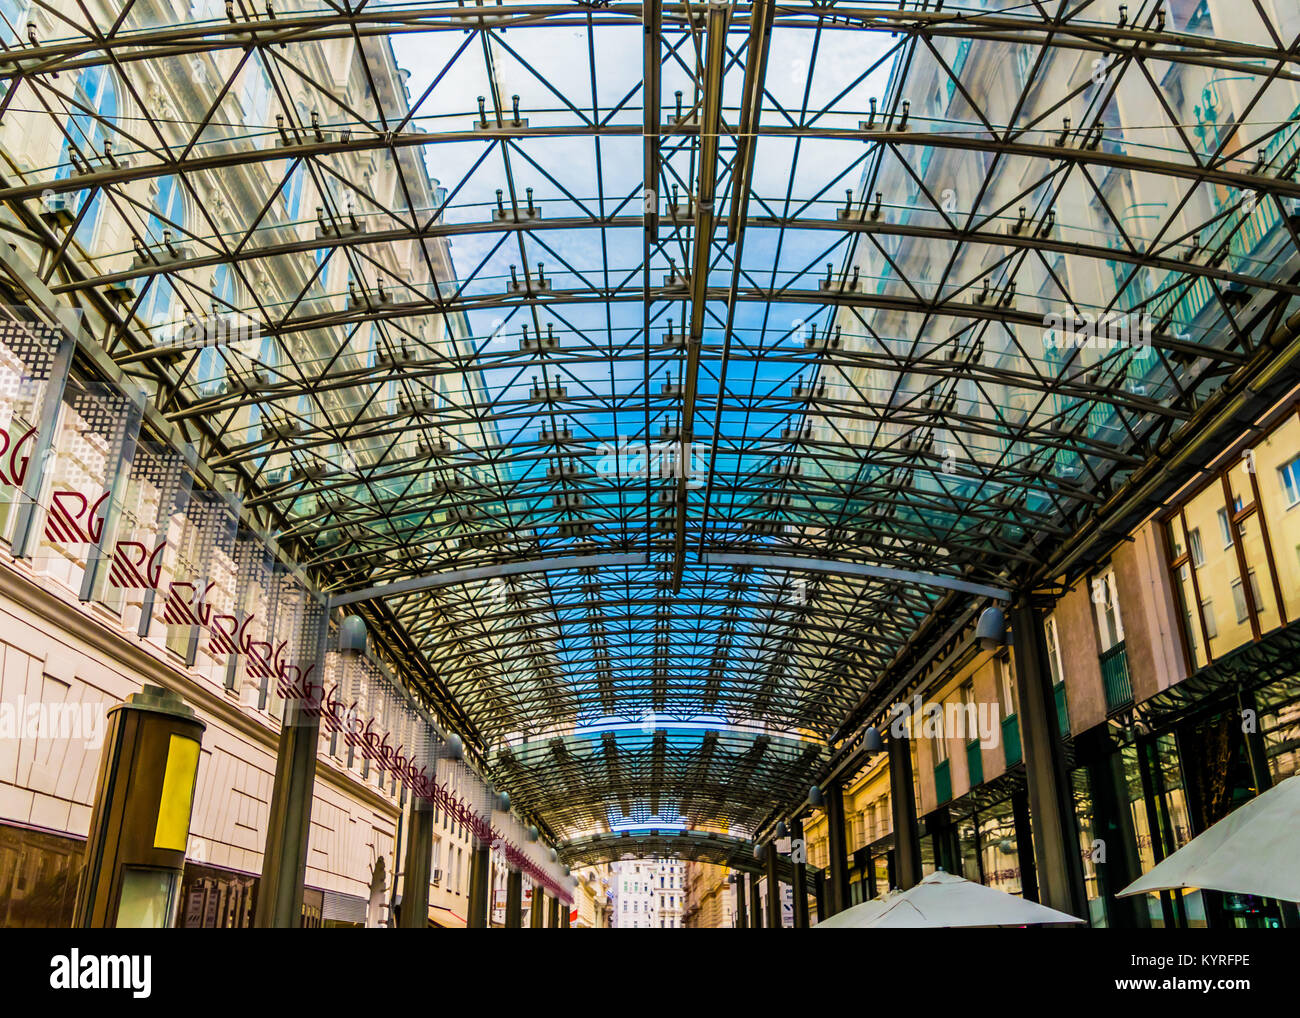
<point>63,649</point>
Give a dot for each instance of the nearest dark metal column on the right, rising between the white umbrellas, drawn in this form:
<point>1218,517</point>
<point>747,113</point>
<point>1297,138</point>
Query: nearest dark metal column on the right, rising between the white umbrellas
<point>1056,844</point>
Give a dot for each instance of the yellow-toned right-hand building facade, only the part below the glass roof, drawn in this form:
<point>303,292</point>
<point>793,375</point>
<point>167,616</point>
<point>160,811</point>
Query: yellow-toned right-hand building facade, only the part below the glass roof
<point>1177,695</point>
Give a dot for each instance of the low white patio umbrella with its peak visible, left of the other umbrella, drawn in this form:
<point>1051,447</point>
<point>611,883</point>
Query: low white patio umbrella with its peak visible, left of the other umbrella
<point>944,900</point>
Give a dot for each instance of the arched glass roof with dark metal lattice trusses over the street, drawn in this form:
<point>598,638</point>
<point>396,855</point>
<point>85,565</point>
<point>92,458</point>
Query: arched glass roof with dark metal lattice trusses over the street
<point>869,310</point>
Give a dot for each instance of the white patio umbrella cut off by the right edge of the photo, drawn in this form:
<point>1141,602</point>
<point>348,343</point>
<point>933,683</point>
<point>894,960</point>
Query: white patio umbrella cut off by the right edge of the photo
<point>1253,851</point>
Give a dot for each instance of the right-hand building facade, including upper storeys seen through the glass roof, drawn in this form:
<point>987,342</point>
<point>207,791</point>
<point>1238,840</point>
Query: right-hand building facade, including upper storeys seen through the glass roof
<point>1173,656</point>
